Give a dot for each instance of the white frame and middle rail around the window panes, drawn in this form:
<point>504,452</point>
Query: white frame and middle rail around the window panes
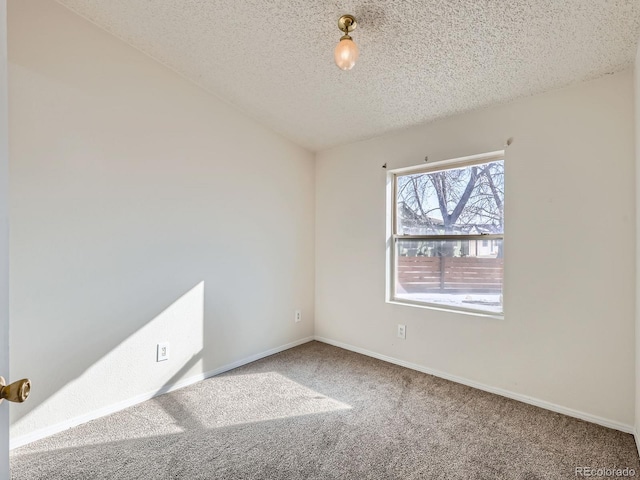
<point>393,236</point>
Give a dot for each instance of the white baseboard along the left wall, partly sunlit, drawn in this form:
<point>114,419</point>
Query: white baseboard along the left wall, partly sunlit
<point>102,412</point>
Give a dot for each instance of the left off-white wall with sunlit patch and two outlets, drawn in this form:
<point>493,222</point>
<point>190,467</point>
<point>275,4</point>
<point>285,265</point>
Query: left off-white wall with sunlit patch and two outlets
<point>142,210</point>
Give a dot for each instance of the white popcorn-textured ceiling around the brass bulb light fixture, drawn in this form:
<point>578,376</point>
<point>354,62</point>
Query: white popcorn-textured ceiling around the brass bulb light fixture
<point>419,59</point>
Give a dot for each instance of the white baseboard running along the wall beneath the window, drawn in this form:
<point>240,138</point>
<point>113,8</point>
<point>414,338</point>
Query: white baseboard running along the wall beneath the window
<point>487,388</point>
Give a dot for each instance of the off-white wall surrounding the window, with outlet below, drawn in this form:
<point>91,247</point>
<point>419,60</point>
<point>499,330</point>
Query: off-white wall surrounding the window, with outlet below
<point>568,333</point>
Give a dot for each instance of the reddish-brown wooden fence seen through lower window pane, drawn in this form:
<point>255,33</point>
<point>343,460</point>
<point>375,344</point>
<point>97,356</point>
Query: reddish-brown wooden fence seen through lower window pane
<point>450,274</point>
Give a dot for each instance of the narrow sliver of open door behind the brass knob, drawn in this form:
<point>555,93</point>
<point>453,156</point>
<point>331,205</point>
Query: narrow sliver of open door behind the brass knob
<point>4,243</point>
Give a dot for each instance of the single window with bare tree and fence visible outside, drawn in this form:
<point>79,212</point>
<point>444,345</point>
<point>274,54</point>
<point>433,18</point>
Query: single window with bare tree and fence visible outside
<point>448,235</point>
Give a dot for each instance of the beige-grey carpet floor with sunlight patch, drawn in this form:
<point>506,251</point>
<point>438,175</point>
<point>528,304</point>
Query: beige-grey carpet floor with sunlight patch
<point>321,412</point>
